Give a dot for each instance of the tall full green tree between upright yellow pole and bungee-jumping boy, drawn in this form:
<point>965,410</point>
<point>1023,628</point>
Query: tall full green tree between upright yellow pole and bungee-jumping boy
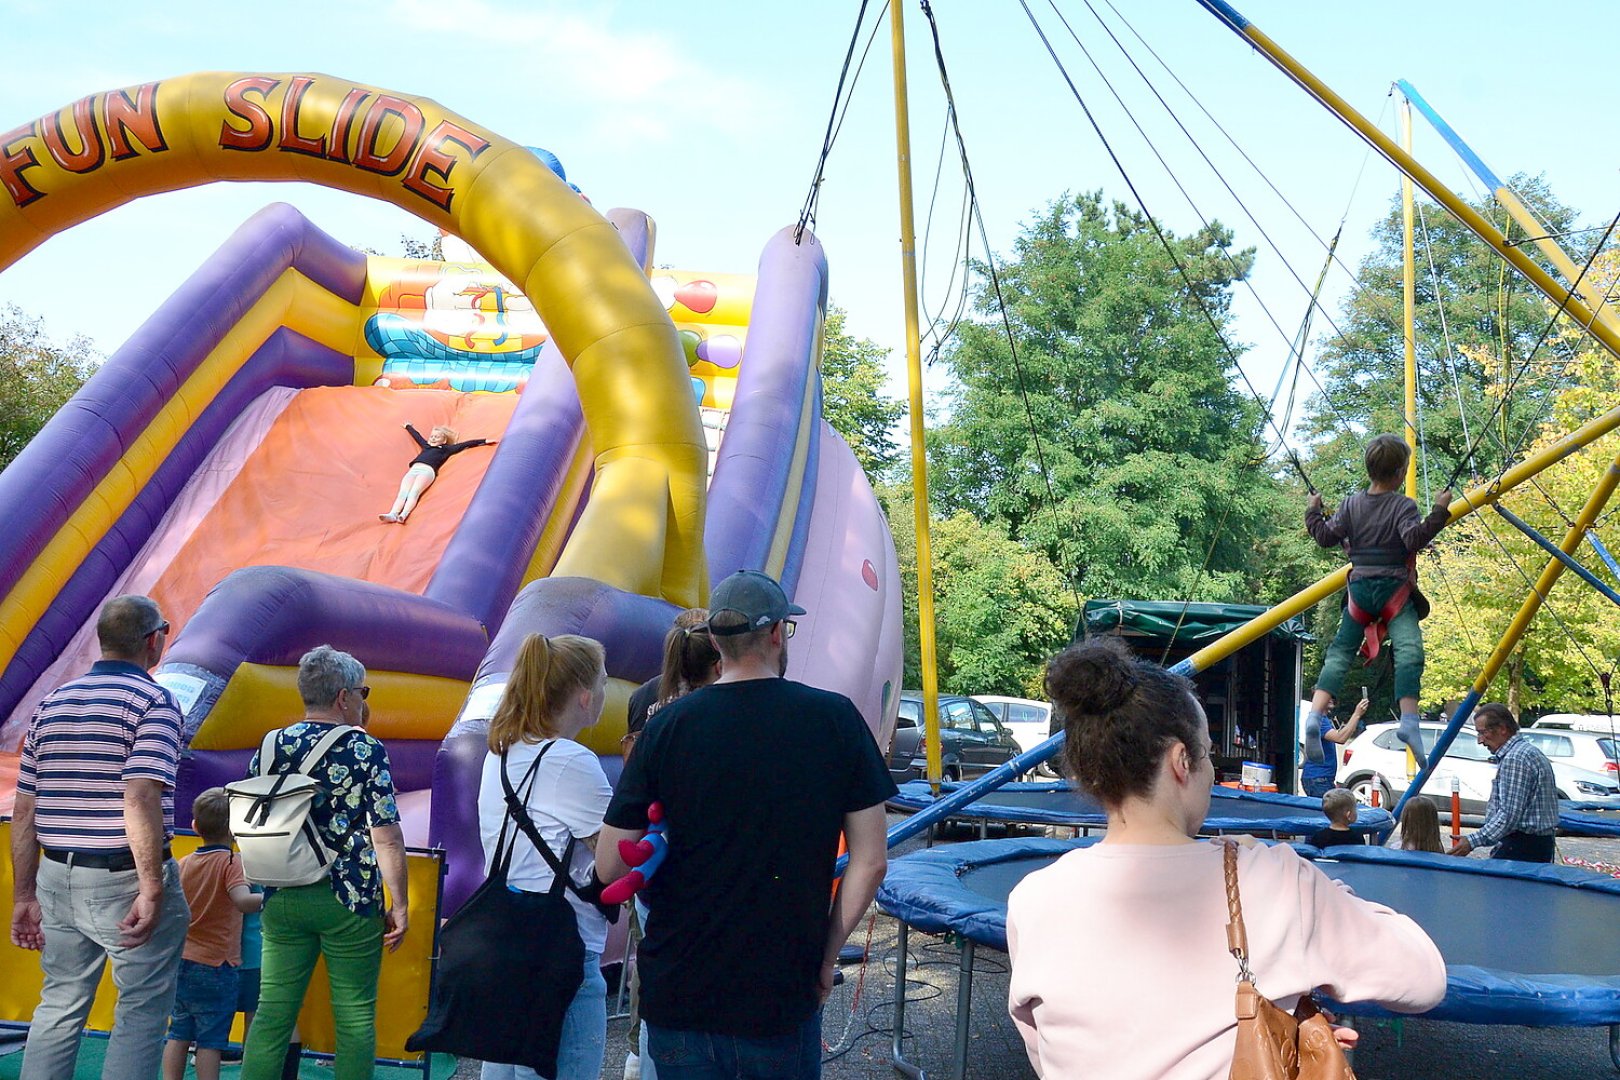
<point>1154,459</point>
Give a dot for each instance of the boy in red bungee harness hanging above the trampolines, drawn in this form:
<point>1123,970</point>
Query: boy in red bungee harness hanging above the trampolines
<point>1383,535</point>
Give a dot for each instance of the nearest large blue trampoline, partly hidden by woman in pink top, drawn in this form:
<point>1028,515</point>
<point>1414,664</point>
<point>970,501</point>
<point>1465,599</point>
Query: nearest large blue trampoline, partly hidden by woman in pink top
<point>1561,966</point>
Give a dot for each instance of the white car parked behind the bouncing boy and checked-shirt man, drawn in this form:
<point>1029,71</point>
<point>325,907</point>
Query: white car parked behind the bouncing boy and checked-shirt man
<point>1584,763</point>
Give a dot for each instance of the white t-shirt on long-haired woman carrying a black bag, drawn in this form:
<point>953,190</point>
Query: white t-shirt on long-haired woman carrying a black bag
<point>569,797</point>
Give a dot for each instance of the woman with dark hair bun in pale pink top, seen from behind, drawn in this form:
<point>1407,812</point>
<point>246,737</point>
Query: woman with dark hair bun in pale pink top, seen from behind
<point>1120,964</point>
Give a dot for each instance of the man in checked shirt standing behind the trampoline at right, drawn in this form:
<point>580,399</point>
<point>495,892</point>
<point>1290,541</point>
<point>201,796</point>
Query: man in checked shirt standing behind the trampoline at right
<point>1522,817</point>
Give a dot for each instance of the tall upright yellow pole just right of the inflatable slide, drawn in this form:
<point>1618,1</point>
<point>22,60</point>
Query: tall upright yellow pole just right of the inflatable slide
<point>931,676</point>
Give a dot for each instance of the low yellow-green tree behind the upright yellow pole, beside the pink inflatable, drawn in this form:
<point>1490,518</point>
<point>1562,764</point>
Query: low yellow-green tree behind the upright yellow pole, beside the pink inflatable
<point>1000,608</point>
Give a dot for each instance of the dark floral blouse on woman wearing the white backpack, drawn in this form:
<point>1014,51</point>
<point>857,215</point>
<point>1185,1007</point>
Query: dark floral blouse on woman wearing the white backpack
<point>357,794</point>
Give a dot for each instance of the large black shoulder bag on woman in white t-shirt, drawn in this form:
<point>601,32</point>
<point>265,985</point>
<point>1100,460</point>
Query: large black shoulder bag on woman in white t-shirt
<point>509,963</point>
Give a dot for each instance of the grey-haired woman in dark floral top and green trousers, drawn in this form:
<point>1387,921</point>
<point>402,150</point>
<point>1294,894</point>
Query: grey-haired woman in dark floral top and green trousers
<point>346,919</point>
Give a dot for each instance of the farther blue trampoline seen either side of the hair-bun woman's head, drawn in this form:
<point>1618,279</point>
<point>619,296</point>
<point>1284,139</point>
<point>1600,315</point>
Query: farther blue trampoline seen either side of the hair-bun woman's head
<point>1057,804</point>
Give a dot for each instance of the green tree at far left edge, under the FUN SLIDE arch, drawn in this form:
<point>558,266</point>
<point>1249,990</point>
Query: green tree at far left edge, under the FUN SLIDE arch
<point>36,378</point>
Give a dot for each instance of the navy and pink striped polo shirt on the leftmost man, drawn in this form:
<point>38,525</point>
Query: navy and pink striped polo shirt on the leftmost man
<point>87,741</point>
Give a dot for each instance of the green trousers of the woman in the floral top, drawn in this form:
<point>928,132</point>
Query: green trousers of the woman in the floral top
<point>301,927</point>
